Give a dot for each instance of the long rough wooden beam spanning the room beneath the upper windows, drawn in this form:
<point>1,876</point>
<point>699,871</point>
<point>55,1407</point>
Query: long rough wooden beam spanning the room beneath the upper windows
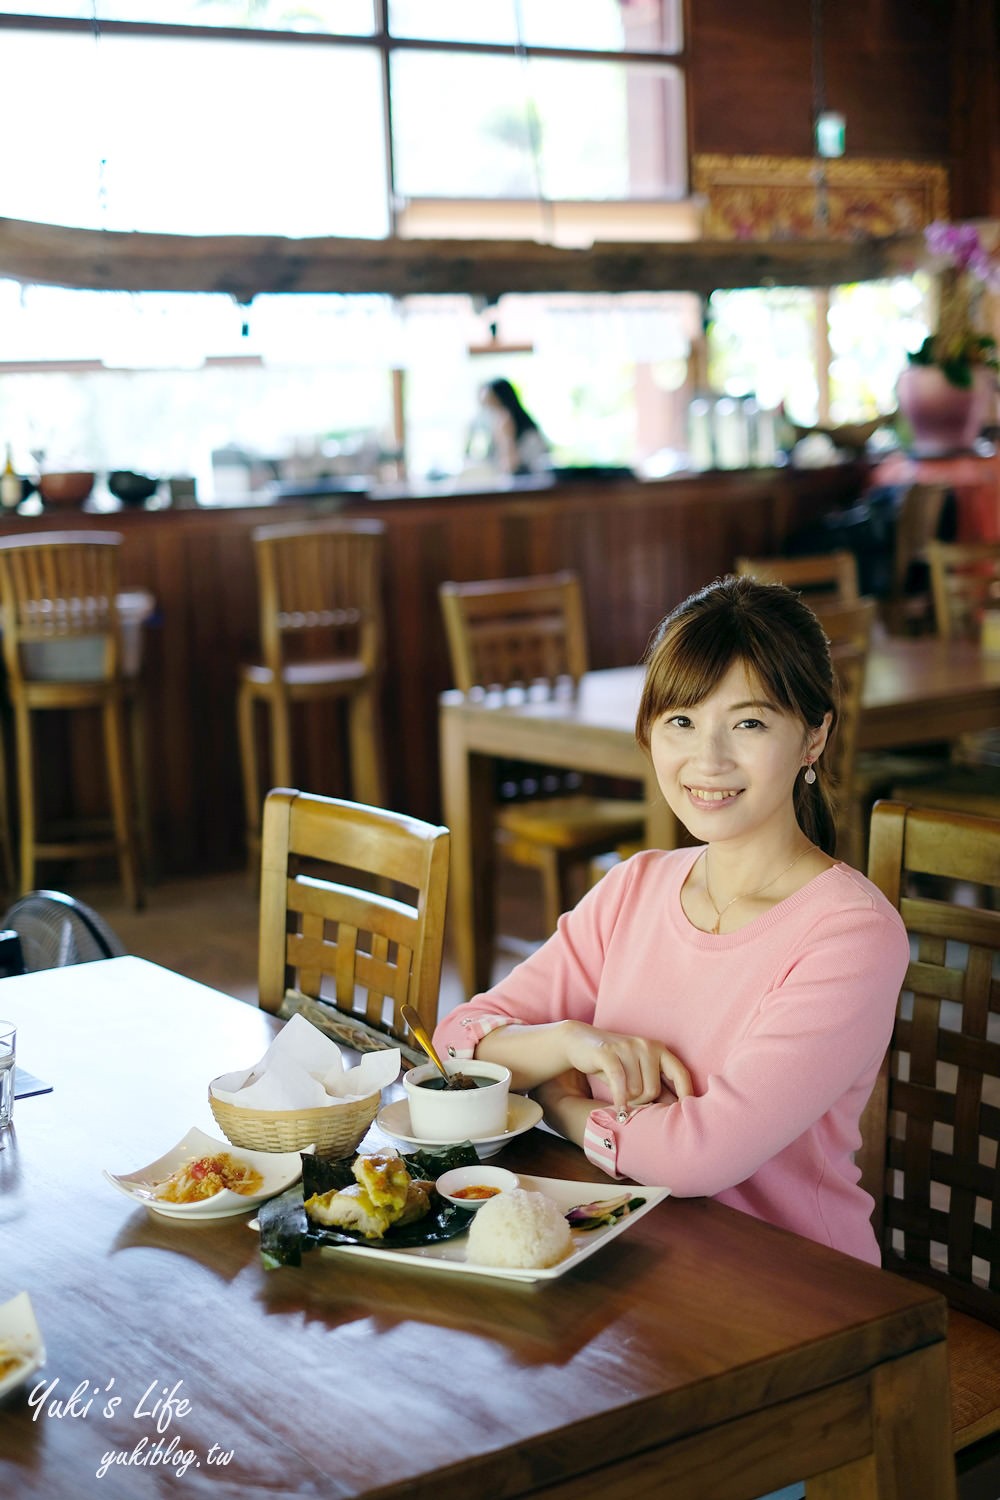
<point>247,266</point>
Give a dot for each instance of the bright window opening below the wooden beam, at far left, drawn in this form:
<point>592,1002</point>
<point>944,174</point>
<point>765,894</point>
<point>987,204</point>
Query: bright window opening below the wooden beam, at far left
<point>304,389</point>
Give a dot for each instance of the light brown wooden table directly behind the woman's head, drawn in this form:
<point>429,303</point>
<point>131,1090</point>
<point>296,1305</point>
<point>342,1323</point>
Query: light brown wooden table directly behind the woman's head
<point>918,691</point>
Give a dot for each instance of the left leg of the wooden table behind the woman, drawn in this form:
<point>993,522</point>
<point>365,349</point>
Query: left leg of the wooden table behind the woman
<point>469,812</point>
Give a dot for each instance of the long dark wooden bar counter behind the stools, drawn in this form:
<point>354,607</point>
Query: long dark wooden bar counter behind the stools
<point>639,548</point>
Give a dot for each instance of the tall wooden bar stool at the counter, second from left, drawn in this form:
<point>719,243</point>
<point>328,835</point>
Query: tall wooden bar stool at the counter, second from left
<point>322,637</point>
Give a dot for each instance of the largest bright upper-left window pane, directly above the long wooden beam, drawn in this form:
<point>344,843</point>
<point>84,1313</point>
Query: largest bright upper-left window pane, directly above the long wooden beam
<point>191,139</point>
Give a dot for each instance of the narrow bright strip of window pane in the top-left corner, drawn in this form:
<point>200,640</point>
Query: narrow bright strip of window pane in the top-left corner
<point>347,17</point>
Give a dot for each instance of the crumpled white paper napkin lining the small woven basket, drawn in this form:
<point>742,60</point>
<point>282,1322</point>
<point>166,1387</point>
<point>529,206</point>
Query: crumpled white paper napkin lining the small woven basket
<point>305,1070</point>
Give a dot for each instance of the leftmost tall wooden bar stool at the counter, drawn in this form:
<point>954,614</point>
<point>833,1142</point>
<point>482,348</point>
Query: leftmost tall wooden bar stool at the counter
<point>64,650</point>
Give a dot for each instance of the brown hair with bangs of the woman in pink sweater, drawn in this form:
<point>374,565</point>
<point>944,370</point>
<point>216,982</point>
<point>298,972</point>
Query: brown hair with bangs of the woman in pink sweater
<point>780,643</point>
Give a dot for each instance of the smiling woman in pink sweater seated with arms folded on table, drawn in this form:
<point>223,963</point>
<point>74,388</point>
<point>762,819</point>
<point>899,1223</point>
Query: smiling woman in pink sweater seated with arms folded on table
<point>713,1019</point>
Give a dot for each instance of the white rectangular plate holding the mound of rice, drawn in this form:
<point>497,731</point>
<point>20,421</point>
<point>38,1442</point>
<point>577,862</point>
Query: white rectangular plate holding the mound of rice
<point>451,1256</point>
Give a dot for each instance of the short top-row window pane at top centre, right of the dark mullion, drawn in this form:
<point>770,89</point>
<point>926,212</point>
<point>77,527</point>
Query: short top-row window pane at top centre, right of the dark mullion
<point>608,26</point>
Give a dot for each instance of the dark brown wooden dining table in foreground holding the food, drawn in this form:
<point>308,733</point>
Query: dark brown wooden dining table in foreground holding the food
<point>701,1355</point>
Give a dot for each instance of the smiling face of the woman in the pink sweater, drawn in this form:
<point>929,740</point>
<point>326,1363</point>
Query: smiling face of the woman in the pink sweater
<point>728,766</point>
